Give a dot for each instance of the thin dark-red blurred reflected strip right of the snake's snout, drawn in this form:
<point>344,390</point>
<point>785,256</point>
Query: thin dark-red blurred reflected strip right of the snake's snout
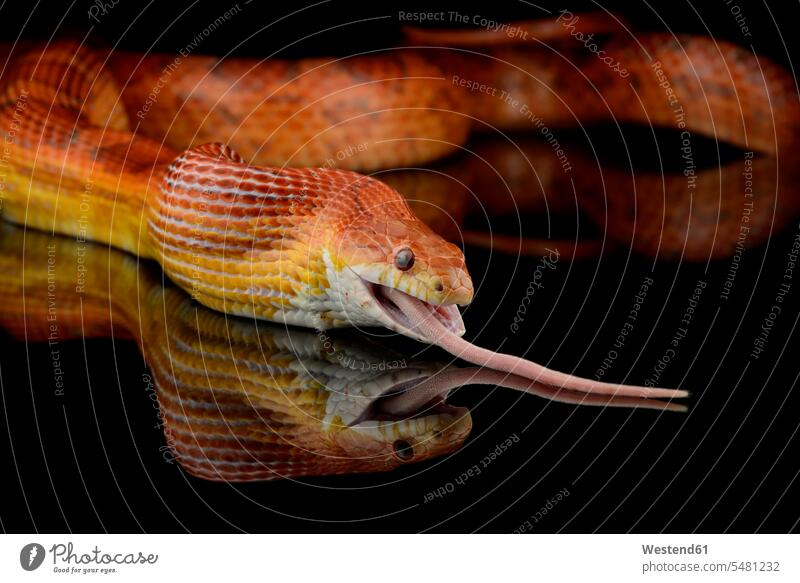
<point>525,246</point>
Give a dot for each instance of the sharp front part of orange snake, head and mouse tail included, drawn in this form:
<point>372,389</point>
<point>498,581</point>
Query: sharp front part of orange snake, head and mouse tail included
<point>312,247</point>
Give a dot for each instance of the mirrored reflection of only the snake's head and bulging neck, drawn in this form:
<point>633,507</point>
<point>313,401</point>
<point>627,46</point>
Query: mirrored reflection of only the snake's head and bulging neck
<point>244,401</point>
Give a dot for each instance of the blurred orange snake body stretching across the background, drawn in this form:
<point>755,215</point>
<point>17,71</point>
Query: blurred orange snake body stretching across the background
<point>409,106</point>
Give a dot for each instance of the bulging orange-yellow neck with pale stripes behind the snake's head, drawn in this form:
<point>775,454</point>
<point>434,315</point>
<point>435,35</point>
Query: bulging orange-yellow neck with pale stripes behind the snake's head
<point>246,240</point>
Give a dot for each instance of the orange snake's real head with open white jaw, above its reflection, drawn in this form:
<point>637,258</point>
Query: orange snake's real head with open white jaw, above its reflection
<point>380,244</point>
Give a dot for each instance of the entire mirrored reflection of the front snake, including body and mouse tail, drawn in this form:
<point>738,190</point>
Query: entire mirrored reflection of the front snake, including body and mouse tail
<point>242,401</point>
